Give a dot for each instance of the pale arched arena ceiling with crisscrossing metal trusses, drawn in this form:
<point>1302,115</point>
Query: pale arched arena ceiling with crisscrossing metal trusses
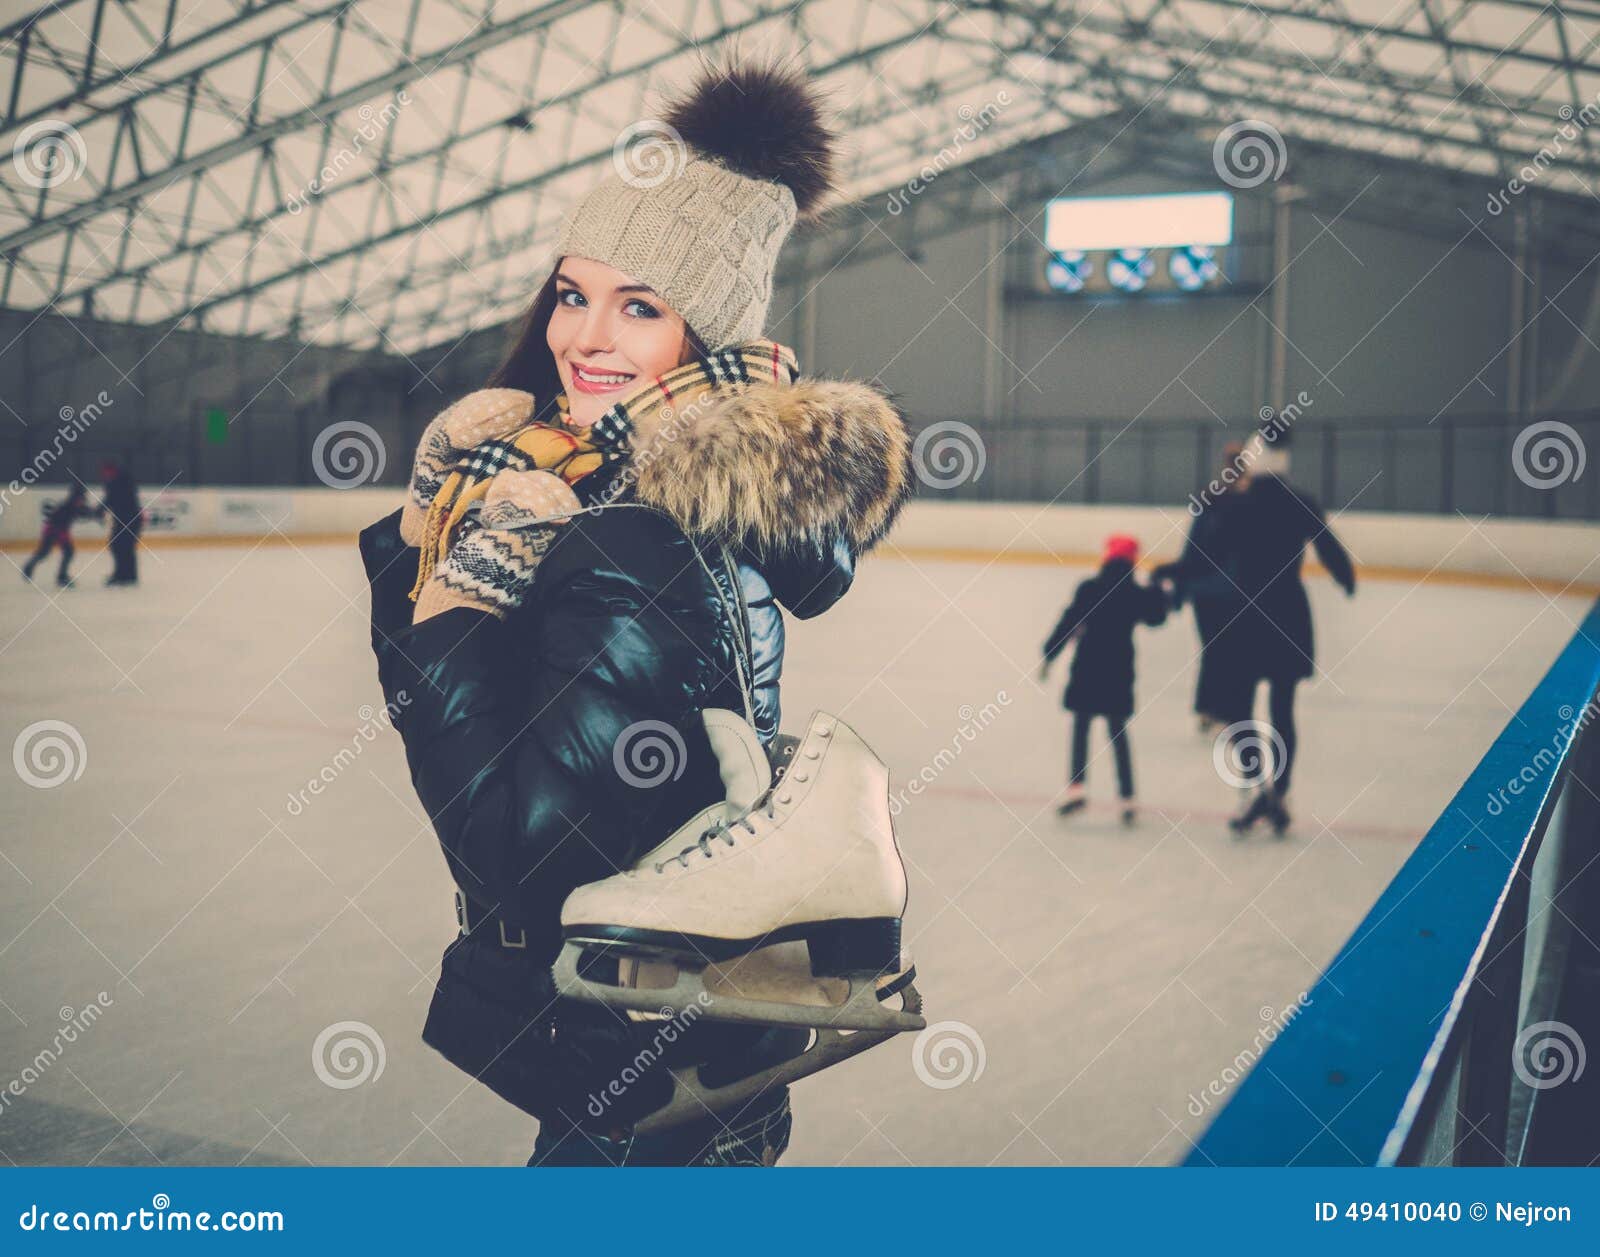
<point>388,175</point>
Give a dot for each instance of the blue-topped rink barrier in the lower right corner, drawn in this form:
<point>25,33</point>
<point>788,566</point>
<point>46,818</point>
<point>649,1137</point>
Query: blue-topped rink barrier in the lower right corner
<point>1406,1050</point>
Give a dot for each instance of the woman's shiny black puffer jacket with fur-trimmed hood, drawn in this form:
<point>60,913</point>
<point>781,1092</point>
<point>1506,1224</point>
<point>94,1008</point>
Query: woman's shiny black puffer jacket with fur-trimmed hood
<point>532,741</point>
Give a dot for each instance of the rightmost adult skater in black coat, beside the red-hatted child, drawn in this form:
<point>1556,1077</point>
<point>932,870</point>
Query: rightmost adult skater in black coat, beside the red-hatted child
<point>1273,637</point>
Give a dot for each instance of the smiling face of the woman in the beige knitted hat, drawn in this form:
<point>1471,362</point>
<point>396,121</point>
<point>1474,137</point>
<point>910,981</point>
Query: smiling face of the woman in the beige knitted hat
<point>609,335</point>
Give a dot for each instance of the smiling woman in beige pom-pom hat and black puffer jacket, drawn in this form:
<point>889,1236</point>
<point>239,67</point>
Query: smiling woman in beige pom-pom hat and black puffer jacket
<point>594,556</point>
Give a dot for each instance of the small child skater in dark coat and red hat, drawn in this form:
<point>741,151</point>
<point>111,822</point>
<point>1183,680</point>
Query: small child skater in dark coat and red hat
<point>1102,620</point>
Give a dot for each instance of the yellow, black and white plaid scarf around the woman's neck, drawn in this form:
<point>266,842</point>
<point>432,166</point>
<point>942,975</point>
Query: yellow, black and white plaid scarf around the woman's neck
<point>574,453</point>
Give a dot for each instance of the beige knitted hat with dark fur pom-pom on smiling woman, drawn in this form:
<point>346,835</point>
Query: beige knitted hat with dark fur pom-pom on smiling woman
<point>705,198</point>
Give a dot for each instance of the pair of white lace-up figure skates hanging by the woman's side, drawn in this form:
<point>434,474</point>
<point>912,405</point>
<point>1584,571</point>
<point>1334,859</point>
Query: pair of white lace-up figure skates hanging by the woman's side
<point>710,922</point>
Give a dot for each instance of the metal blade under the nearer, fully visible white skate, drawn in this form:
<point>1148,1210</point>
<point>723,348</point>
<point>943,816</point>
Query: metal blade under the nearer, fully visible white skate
<point>754,989</point>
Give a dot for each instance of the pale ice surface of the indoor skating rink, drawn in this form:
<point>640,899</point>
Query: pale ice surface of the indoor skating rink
<point>1102,980</point>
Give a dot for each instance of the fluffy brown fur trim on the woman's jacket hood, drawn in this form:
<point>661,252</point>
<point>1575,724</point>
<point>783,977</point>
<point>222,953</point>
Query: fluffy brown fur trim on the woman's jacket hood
<point>777,468</point>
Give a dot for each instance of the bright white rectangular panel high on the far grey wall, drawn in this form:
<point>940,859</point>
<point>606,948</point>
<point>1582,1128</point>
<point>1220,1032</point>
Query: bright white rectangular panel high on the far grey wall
<point>1140,223</point>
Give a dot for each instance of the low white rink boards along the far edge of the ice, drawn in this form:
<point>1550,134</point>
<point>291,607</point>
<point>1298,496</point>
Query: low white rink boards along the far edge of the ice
<point>1442,545</point>
